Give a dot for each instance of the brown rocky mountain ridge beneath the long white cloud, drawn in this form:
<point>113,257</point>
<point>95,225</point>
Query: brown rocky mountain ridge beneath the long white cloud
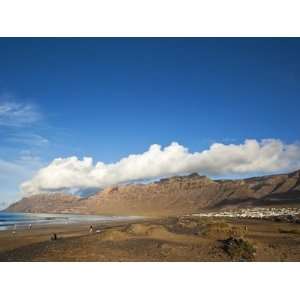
<point>175,195</point>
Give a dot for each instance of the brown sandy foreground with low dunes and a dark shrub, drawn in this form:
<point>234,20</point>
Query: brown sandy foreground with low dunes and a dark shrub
<point>163,239</point>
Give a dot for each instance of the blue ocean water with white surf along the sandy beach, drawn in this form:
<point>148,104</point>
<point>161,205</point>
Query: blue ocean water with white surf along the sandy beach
<point>22,220</point>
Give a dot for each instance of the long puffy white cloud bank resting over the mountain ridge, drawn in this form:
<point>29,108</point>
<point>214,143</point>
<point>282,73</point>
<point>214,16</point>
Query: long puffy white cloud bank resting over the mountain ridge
<point>251,157</point>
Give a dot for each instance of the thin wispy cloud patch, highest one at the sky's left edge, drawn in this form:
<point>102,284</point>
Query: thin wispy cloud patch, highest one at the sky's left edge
<point>14,114</point>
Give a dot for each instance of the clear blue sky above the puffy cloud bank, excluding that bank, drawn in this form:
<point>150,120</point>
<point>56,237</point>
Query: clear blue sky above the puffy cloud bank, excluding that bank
<point>109,98</point>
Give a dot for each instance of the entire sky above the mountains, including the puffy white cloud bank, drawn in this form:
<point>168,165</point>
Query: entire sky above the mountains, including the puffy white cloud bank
<point>78,114</point>
